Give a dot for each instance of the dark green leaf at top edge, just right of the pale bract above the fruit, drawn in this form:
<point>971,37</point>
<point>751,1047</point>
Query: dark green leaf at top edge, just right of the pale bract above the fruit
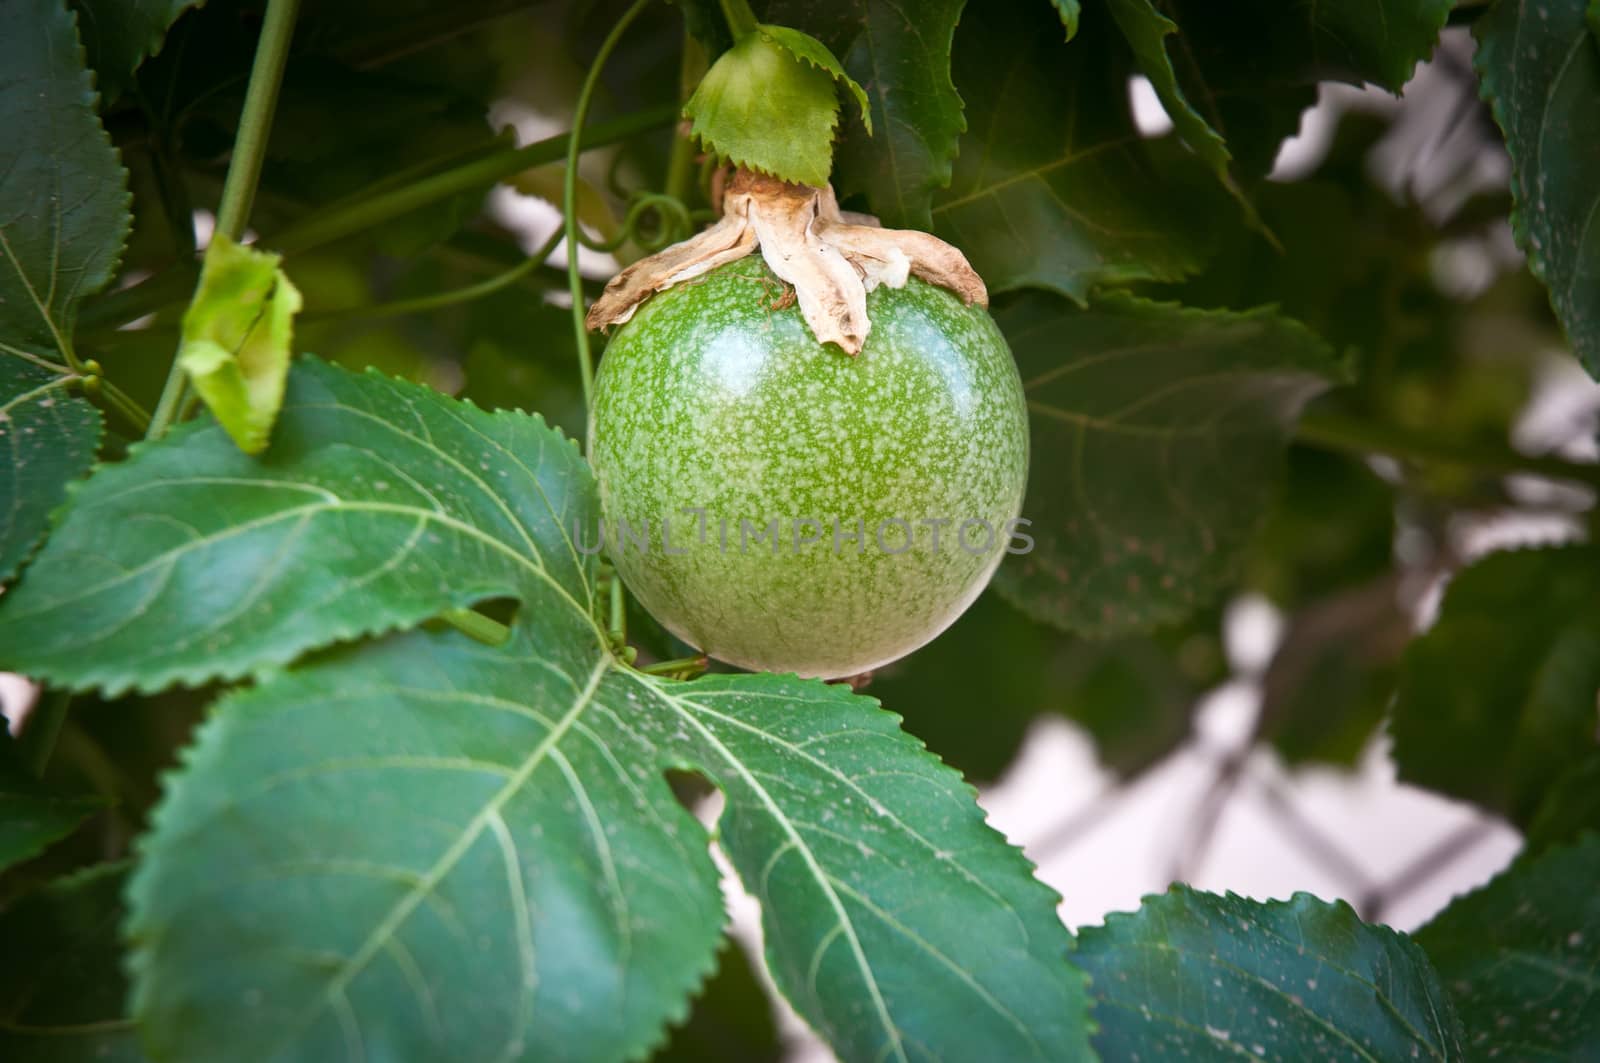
<point>903,58</point>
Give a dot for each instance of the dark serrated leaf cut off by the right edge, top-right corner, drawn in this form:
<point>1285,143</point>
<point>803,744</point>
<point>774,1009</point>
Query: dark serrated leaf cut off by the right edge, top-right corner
<point>1540,70</point>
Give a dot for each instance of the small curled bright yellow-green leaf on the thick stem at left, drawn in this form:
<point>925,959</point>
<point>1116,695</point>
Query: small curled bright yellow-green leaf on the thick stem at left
<point>238,335</point>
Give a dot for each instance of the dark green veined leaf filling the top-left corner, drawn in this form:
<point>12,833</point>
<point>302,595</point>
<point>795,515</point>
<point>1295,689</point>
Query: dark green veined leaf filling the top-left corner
<point>63,195</point>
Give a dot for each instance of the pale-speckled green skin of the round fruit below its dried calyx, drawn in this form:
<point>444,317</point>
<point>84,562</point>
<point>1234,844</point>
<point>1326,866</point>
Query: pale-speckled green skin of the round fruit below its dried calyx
<point>716,396</point>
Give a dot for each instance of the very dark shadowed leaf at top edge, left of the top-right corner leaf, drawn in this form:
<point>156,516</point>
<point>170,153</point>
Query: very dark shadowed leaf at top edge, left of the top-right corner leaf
<point>1252,68</point>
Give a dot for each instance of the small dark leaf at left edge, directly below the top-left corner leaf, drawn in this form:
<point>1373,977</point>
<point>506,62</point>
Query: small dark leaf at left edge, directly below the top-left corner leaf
<point>47,439</point>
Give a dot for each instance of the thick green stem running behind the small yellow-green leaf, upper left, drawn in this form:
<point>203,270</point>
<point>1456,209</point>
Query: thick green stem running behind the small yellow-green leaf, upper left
<point>244,169</point>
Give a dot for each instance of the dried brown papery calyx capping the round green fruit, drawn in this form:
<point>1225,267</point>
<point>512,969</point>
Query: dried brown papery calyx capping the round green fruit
<point>833,259</point>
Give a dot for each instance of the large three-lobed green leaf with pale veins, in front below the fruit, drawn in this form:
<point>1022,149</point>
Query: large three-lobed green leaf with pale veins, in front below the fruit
<point>487,832</point>
